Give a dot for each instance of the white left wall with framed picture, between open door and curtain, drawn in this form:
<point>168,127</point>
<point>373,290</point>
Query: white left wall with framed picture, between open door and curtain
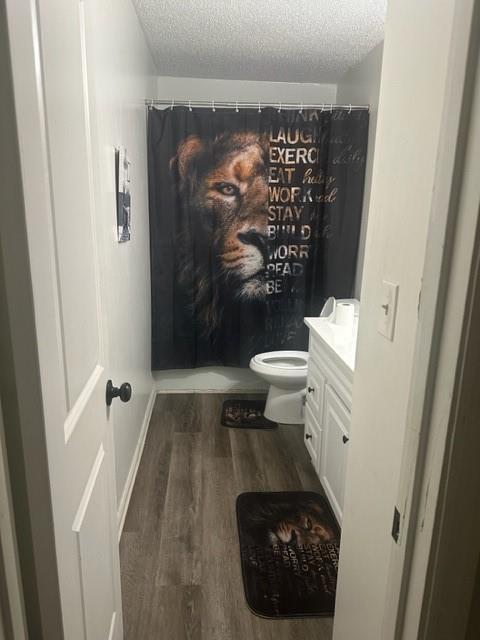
<point>121,75</point>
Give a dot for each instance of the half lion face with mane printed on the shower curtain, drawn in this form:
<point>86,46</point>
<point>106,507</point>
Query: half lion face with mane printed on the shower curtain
<point>223,188</point>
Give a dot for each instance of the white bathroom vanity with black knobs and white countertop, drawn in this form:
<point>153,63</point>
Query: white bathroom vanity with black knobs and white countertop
<point>328,404</point>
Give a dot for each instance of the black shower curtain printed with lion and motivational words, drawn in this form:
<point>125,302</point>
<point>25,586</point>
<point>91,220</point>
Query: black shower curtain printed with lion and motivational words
<point>254,222</point>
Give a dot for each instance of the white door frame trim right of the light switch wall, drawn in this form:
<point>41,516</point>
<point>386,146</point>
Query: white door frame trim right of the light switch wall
<point>430,474</point>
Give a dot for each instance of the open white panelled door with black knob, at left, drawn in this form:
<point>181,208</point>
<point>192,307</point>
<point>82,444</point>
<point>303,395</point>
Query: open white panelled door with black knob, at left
<point>50,85</point>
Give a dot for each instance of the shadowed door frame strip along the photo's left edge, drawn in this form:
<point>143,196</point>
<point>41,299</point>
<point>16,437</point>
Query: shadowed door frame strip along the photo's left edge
<point>20,388</point>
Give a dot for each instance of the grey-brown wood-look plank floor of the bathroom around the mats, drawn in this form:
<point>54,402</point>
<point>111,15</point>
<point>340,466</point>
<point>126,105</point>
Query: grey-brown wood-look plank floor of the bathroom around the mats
<point>181,575</point>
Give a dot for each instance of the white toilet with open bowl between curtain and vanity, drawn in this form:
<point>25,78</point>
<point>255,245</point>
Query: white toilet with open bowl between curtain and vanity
<point>286,373</point>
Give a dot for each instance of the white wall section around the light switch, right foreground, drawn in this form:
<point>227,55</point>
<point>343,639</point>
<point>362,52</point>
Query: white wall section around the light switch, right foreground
<point>413,86</point>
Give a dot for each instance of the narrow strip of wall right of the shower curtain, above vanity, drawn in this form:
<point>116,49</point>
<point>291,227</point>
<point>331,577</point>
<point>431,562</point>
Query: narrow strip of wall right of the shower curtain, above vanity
<point>361,85</point>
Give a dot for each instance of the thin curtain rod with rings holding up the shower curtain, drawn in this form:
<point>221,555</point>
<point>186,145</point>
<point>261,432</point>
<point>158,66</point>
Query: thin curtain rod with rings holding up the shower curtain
<point>237,104</point>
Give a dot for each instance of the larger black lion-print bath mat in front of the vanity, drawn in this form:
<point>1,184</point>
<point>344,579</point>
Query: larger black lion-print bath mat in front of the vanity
<point>289,544</point>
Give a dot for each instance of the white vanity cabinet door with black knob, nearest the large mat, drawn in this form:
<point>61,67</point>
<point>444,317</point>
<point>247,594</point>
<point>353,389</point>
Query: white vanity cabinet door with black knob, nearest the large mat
<point>333,457</point>
